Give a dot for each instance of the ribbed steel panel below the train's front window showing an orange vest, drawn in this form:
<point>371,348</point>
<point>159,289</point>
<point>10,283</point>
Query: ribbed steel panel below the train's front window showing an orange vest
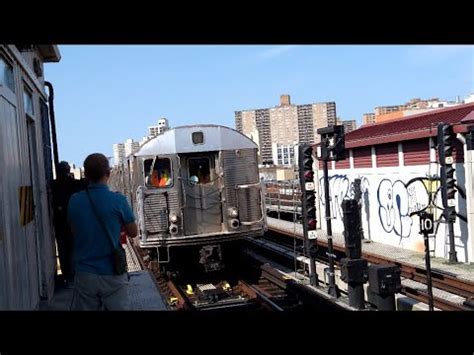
<point>155,212</point>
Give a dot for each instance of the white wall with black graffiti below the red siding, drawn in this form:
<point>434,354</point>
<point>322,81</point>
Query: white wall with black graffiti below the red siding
<point>389,197</point>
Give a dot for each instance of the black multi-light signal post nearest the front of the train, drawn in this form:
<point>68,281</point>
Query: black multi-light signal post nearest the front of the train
<point>308,199</point>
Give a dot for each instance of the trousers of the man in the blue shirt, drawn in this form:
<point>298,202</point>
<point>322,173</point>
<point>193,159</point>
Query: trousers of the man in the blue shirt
<point>98,292</point>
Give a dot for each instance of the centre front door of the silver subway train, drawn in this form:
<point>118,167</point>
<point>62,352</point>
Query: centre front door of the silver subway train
<point>202,211</point>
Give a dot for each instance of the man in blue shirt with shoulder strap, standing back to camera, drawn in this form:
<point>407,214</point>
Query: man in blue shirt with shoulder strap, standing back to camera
<point>96,285</point>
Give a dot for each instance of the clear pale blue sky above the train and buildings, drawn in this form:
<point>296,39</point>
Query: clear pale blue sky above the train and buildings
<point>106,94</point>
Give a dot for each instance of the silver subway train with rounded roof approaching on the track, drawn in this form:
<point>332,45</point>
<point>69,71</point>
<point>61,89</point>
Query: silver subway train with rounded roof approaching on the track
<point>193,185</point>
